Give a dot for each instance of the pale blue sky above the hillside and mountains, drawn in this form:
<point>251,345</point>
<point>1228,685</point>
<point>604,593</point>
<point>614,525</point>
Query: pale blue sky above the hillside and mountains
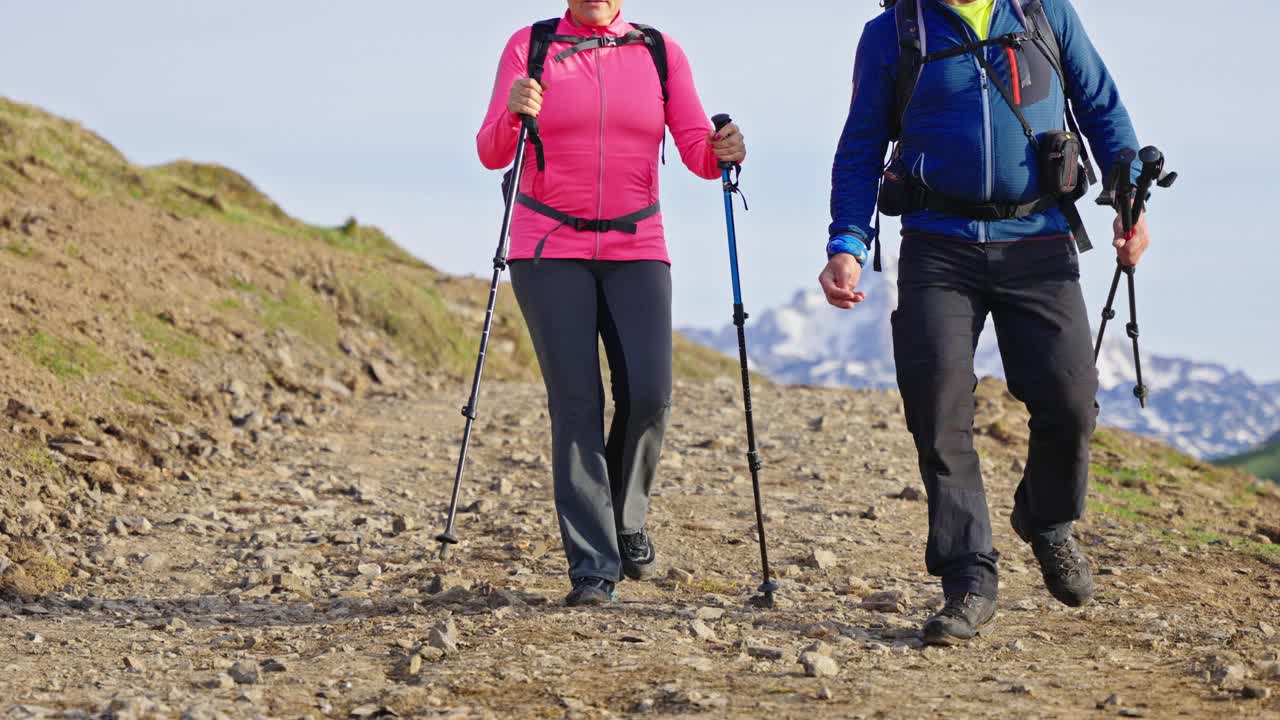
<point>372,110</point>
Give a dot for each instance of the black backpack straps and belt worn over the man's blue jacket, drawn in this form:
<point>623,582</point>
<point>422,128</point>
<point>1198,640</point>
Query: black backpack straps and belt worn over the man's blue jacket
<point>1057,149</point>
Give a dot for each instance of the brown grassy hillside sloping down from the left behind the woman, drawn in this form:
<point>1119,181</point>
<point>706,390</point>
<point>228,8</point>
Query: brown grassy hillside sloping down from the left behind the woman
<point>161,321</point>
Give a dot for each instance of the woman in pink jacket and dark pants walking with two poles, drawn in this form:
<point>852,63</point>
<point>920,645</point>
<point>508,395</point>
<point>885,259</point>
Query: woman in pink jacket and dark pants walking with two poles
<point>589,262</point>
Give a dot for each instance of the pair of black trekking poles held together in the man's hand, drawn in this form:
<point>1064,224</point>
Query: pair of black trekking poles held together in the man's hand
<point>1131,203</point>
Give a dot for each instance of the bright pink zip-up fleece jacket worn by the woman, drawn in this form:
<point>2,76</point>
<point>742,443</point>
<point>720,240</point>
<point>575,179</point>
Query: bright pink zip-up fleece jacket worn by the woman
<point>602,124</point>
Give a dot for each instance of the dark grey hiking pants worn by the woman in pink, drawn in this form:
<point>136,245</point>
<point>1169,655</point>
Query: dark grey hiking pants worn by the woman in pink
<point>602,485</point>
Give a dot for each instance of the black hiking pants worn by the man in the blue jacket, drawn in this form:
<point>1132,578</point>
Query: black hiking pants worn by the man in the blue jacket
<point>1032,291</point>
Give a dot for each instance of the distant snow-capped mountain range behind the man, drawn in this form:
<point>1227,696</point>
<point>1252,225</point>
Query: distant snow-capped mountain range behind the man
<point>1203,409</point>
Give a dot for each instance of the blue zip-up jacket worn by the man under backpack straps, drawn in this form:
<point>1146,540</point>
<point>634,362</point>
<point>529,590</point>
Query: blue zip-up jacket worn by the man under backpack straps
<point>959,135</point>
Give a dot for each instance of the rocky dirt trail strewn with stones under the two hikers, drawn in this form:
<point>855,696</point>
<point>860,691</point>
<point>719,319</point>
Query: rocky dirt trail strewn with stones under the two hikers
<point>307,584</point>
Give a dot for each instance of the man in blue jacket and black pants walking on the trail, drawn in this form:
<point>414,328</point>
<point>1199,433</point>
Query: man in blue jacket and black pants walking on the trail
<point>977,243</point>
